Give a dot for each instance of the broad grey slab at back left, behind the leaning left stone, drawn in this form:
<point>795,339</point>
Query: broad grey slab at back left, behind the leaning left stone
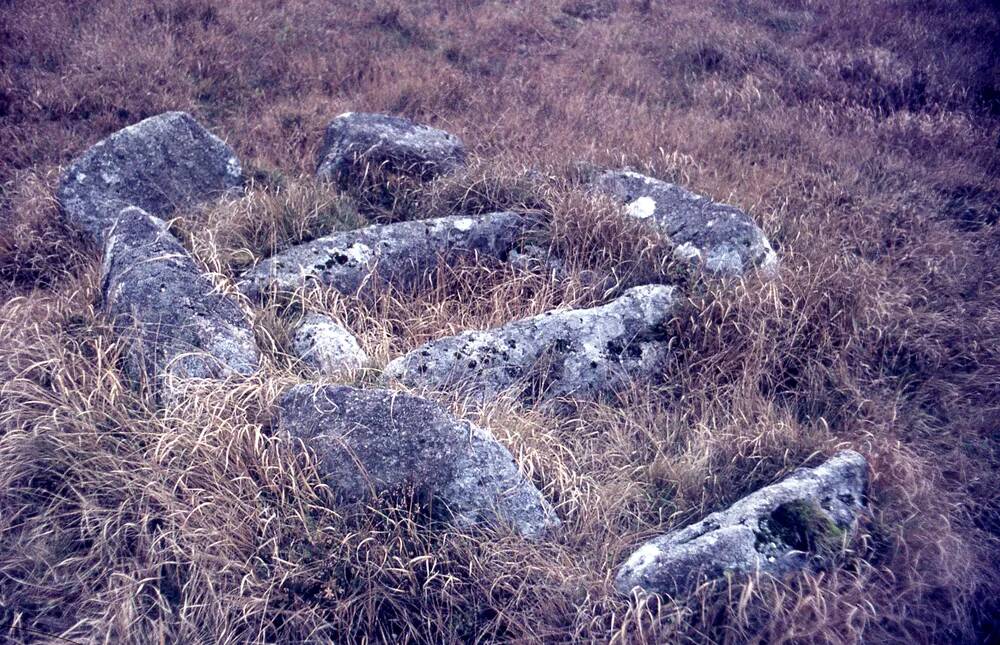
<point>160,164</point>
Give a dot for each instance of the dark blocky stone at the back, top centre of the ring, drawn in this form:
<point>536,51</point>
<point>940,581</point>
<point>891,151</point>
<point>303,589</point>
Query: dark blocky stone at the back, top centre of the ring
<point>355,143</point>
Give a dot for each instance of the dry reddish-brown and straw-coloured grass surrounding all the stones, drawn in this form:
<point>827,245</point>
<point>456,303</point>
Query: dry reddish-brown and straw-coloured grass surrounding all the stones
<point>863,139</point>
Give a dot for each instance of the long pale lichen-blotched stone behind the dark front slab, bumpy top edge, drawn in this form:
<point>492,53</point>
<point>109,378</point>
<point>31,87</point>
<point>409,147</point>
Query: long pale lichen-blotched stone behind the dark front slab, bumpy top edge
<point>576,353</point>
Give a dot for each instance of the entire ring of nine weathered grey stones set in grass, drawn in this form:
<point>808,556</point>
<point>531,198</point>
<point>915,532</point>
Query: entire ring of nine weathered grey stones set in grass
<point>180,323</point>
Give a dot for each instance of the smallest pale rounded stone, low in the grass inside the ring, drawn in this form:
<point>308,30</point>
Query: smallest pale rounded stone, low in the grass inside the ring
<point>327,347</point>
